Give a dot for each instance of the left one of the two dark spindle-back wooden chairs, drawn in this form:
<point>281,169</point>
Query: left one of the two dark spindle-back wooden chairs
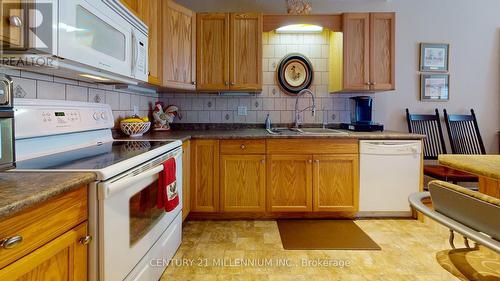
<point>430,126</point>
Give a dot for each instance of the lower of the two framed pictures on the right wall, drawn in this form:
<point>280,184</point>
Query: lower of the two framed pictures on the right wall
<point>434,87</point>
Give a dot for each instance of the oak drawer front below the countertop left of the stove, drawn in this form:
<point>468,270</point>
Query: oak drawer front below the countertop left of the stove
<point>42,223</point>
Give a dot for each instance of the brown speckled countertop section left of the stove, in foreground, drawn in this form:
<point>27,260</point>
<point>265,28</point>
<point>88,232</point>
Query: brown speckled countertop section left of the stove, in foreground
<point>21,190</point>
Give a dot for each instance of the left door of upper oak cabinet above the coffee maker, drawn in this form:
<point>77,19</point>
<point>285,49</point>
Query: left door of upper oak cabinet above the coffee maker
<point>356,52</point>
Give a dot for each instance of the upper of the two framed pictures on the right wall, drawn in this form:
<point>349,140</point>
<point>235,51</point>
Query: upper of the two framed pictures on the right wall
<point>434,57</point>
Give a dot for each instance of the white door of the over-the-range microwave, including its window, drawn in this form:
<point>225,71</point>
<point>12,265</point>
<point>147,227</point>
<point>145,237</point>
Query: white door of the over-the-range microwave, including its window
<point>92,33</point>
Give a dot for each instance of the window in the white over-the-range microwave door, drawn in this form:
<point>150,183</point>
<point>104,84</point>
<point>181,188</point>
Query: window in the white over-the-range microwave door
<point>94,33</point>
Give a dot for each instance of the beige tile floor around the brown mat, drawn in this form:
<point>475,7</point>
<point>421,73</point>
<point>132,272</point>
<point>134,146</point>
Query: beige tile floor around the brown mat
<point>218,250</point>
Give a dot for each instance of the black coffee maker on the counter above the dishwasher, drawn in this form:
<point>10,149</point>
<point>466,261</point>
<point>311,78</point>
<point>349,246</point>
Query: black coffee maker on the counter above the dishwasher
<point>361,116</point>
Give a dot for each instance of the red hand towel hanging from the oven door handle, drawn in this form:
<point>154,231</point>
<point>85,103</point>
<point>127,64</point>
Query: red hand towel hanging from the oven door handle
<point>168,196</point>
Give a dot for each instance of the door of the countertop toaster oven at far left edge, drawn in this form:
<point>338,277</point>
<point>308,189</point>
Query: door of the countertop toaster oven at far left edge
<point>6,140</point>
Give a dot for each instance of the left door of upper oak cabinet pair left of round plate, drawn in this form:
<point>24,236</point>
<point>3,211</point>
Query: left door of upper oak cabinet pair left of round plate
<point>212,52</point>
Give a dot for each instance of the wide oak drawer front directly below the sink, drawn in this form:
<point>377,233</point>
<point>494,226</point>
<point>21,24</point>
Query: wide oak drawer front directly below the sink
<point>312,146</point>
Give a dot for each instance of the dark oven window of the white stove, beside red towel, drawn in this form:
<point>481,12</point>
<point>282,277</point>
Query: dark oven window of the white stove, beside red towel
<point>143,212</point>
